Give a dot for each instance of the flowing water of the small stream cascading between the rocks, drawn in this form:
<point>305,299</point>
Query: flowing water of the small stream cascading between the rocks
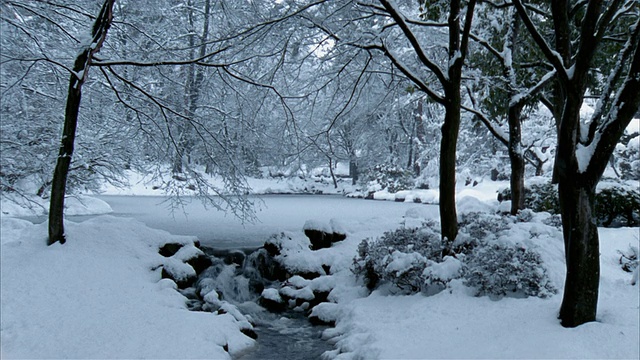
<point>284,336</point>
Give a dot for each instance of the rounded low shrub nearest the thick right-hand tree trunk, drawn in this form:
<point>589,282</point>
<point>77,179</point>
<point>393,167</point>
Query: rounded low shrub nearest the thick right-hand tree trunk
<point>504,269</point>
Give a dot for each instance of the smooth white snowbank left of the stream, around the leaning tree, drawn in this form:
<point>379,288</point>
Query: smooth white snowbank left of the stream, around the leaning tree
<point>100,296</point>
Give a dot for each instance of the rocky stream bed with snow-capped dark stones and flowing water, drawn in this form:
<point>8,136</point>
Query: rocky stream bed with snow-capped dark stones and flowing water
<point>272,301</point>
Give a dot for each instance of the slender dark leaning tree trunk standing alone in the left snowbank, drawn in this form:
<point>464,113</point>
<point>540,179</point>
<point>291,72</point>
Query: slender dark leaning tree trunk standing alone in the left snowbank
<point>77,79</point>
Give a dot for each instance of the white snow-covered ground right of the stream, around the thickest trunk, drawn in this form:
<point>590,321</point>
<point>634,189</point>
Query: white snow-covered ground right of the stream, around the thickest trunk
<point>419,327</point>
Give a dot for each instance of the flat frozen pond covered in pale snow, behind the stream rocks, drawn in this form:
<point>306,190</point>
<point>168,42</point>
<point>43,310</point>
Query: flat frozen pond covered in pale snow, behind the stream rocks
<point>275,213</point>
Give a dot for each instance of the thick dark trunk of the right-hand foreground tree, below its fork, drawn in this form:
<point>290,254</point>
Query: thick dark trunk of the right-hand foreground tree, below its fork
<point>580,299</point>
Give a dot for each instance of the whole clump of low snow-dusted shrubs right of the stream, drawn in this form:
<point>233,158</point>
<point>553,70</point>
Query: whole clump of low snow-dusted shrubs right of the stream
<point>415,260</point>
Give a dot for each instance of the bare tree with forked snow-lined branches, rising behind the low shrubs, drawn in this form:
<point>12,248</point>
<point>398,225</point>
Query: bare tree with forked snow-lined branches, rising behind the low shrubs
<point>449,79</point>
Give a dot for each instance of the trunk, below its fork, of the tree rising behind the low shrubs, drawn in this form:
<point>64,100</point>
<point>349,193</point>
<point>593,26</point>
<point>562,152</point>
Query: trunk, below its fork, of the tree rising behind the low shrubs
<point>450,129</point>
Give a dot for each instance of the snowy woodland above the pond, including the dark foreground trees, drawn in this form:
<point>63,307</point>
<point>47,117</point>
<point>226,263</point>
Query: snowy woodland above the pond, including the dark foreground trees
<point>437,91</point>
